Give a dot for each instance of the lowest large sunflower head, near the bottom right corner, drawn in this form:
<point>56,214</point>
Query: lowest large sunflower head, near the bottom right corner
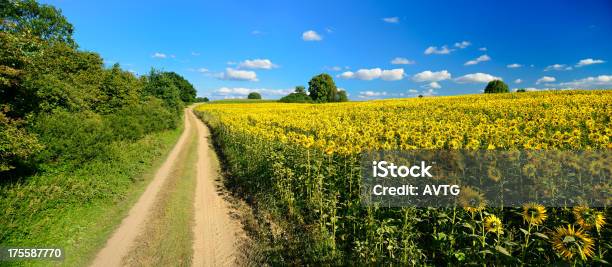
<point>568,242</point>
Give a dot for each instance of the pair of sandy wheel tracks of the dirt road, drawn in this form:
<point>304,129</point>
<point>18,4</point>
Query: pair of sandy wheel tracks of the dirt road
<point>215,233</point>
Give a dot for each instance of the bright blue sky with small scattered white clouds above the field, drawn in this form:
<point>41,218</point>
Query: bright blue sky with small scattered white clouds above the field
<point>229,48</point>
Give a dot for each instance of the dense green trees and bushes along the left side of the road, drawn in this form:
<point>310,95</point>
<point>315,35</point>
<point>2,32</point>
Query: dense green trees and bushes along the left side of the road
<point>61,105</point>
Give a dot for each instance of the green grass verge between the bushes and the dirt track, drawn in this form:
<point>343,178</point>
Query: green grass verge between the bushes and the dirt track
<point>78,209</point>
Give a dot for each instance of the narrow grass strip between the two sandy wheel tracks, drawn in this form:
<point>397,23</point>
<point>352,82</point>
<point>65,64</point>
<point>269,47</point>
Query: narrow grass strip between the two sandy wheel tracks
<point>167,238</point>
